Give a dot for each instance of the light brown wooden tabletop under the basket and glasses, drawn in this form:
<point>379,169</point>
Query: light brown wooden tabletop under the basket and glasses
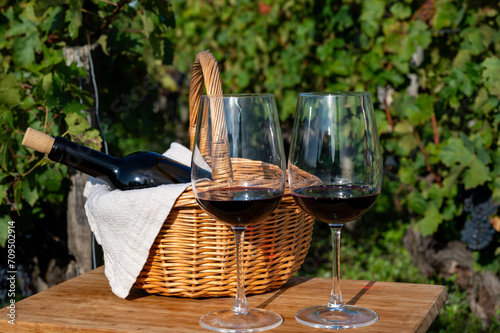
<point>86,304</point>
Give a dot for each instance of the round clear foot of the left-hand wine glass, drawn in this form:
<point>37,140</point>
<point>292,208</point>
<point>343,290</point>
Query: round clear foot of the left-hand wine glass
<point>253,320</point>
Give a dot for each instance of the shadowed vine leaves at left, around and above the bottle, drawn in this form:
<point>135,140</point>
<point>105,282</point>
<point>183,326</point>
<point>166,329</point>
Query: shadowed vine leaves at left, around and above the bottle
<point>40,89</point>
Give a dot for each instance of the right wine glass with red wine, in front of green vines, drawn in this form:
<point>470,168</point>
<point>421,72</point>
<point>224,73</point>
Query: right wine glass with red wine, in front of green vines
<point>335,175</point>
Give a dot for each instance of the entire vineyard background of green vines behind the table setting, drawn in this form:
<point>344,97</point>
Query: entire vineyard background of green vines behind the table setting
<point>433,69</point>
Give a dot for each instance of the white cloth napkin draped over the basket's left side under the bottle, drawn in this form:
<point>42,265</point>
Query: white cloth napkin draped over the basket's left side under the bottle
<point>126,223</point>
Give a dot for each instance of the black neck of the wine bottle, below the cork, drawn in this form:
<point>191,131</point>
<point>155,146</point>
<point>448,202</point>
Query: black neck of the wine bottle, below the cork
<point>84,159</point>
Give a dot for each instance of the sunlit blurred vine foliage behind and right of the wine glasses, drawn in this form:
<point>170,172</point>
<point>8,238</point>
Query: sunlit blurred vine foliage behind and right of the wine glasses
<point>440,138</point>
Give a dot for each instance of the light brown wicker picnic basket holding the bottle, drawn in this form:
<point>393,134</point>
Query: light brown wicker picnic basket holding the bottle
<point>194,255</point>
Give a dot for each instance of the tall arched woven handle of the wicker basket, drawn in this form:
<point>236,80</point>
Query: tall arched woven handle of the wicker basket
<point>205,70</point>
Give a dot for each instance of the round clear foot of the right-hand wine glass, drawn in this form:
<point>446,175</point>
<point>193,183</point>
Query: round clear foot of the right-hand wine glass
<point>336,317</point>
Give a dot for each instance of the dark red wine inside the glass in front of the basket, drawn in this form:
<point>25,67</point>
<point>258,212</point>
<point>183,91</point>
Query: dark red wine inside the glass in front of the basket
<point>240,206</point>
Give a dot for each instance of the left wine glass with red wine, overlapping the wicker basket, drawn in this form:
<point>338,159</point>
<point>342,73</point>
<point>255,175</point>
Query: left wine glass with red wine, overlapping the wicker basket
<point>238,177</point>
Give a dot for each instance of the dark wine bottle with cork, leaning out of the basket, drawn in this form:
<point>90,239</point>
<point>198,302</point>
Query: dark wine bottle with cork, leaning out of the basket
<point>137,170</point>
